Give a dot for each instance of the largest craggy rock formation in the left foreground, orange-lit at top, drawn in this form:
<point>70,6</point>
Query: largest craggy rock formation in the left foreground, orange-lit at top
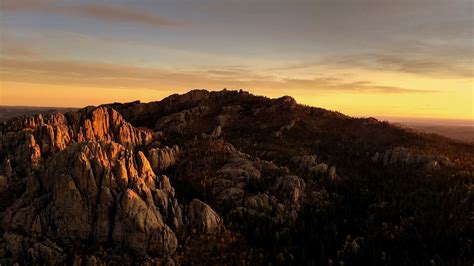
<point>98,191</point>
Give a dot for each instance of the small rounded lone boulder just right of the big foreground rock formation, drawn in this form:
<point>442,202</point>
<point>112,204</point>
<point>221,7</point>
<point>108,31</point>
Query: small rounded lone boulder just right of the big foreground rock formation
<point>202,219</point>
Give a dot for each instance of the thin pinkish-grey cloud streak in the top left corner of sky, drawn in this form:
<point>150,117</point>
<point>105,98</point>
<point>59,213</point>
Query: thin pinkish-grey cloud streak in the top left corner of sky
<point>104,12</point>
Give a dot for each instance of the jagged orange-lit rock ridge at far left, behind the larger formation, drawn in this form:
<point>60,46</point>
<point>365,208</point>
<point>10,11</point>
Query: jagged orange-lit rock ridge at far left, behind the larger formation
<point>28,140</point>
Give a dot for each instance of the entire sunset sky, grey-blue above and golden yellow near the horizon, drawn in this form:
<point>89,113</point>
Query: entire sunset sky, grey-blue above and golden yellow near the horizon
<point>397,58</point>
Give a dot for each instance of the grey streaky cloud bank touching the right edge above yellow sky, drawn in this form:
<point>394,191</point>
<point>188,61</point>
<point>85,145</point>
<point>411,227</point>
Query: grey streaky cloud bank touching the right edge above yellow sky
<point>434,59</point>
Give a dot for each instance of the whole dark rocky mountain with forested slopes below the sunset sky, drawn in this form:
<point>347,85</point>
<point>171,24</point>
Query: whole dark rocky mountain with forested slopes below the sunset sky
<point>230,178</point>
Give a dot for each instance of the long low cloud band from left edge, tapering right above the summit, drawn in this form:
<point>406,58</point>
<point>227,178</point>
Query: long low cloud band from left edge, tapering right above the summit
<point>91,74</point>
